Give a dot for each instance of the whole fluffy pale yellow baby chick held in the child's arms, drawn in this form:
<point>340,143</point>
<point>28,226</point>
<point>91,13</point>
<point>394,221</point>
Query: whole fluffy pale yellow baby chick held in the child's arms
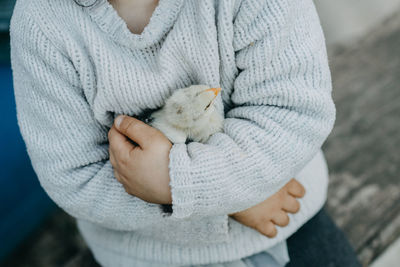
<point>189,113</point>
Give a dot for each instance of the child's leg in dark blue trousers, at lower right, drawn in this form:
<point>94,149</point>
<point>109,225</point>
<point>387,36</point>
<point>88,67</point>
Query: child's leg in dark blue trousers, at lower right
<point>320,243</point>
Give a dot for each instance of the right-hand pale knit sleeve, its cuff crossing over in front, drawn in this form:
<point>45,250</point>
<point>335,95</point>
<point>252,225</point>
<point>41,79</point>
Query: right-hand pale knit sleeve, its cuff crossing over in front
<point>282,113</point>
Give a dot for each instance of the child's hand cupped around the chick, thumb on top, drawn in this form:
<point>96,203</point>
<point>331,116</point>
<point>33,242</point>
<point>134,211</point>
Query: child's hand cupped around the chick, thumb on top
<point>142,169</point>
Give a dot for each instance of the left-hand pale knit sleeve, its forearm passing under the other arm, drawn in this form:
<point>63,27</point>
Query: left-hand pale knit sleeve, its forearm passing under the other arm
<point>68,147</point>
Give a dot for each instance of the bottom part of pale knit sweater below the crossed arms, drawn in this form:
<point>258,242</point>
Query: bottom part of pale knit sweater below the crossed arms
<point>116,248</point>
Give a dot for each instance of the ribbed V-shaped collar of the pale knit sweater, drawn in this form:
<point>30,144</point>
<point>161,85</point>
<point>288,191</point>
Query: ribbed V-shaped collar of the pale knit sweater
<point>162,19</point>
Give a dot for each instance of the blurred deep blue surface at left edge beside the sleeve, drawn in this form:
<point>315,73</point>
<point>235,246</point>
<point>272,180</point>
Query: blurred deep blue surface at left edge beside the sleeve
<point>23,203</point>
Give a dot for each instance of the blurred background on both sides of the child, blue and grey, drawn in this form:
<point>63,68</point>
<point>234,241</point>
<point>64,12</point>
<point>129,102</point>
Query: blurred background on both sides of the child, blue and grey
<point>363,41</point>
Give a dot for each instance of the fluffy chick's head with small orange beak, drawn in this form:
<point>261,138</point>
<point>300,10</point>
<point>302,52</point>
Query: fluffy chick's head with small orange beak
<point>187,106</point>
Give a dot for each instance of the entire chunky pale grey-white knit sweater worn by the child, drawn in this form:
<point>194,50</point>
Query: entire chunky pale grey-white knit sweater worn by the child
<point>76,68</point>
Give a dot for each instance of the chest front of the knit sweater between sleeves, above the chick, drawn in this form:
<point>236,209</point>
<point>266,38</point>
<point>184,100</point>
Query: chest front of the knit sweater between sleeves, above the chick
<point>122,77</point>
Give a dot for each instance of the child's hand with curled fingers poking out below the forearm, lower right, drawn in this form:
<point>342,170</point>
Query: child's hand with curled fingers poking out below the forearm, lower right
<point>273,211</point>
